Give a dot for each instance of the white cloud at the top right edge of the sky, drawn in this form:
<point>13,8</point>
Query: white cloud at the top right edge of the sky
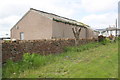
<point>99,5</point>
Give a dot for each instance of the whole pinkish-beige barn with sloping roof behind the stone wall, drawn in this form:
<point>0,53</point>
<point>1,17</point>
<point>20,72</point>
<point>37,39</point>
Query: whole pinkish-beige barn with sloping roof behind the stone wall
<point>36,24</point>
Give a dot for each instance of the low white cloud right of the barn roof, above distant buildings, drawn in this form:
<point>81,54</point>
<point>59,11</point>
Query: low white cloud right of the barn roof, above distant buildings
<point>100,21</point>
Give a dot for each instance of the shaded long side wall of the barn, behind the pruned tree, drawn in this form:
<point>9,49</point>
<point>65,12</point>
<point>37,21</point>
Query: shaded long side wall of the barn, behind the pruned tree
<point>61,30</point>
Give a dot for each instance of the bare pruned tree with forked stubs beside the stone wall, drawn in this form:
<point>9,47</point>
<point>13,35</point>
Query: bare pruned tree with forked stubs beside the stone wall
<point>76,32</point>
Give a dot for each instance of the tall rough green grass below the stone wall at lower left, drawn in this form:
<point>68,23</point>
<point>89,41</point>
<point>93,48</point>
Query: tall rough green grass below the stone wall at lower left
<point>29,61</point>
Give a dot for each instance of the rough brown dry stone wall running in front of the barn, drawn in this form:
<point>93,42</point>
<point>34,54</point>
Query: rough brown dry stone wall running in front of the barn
<point>15,50</point>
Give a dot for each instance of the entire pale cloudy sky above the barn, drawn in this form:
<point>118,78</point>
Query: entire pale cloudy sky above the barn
<point>96,13</point>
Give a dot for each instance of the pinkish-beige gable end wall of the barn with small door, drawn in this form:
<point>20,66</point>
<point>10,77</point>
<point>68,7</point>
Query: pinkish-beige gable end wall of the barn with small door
<point>34,26</point>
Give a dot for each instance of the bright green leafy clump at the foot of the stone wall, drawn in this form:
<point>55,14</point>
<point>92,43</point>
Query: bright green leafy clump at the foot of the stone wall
<point>35,60</point>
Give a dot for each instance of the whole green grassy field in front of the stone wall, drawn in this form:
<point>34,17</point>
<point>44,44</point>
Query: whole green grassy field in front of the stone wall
<point>93,60</point>
